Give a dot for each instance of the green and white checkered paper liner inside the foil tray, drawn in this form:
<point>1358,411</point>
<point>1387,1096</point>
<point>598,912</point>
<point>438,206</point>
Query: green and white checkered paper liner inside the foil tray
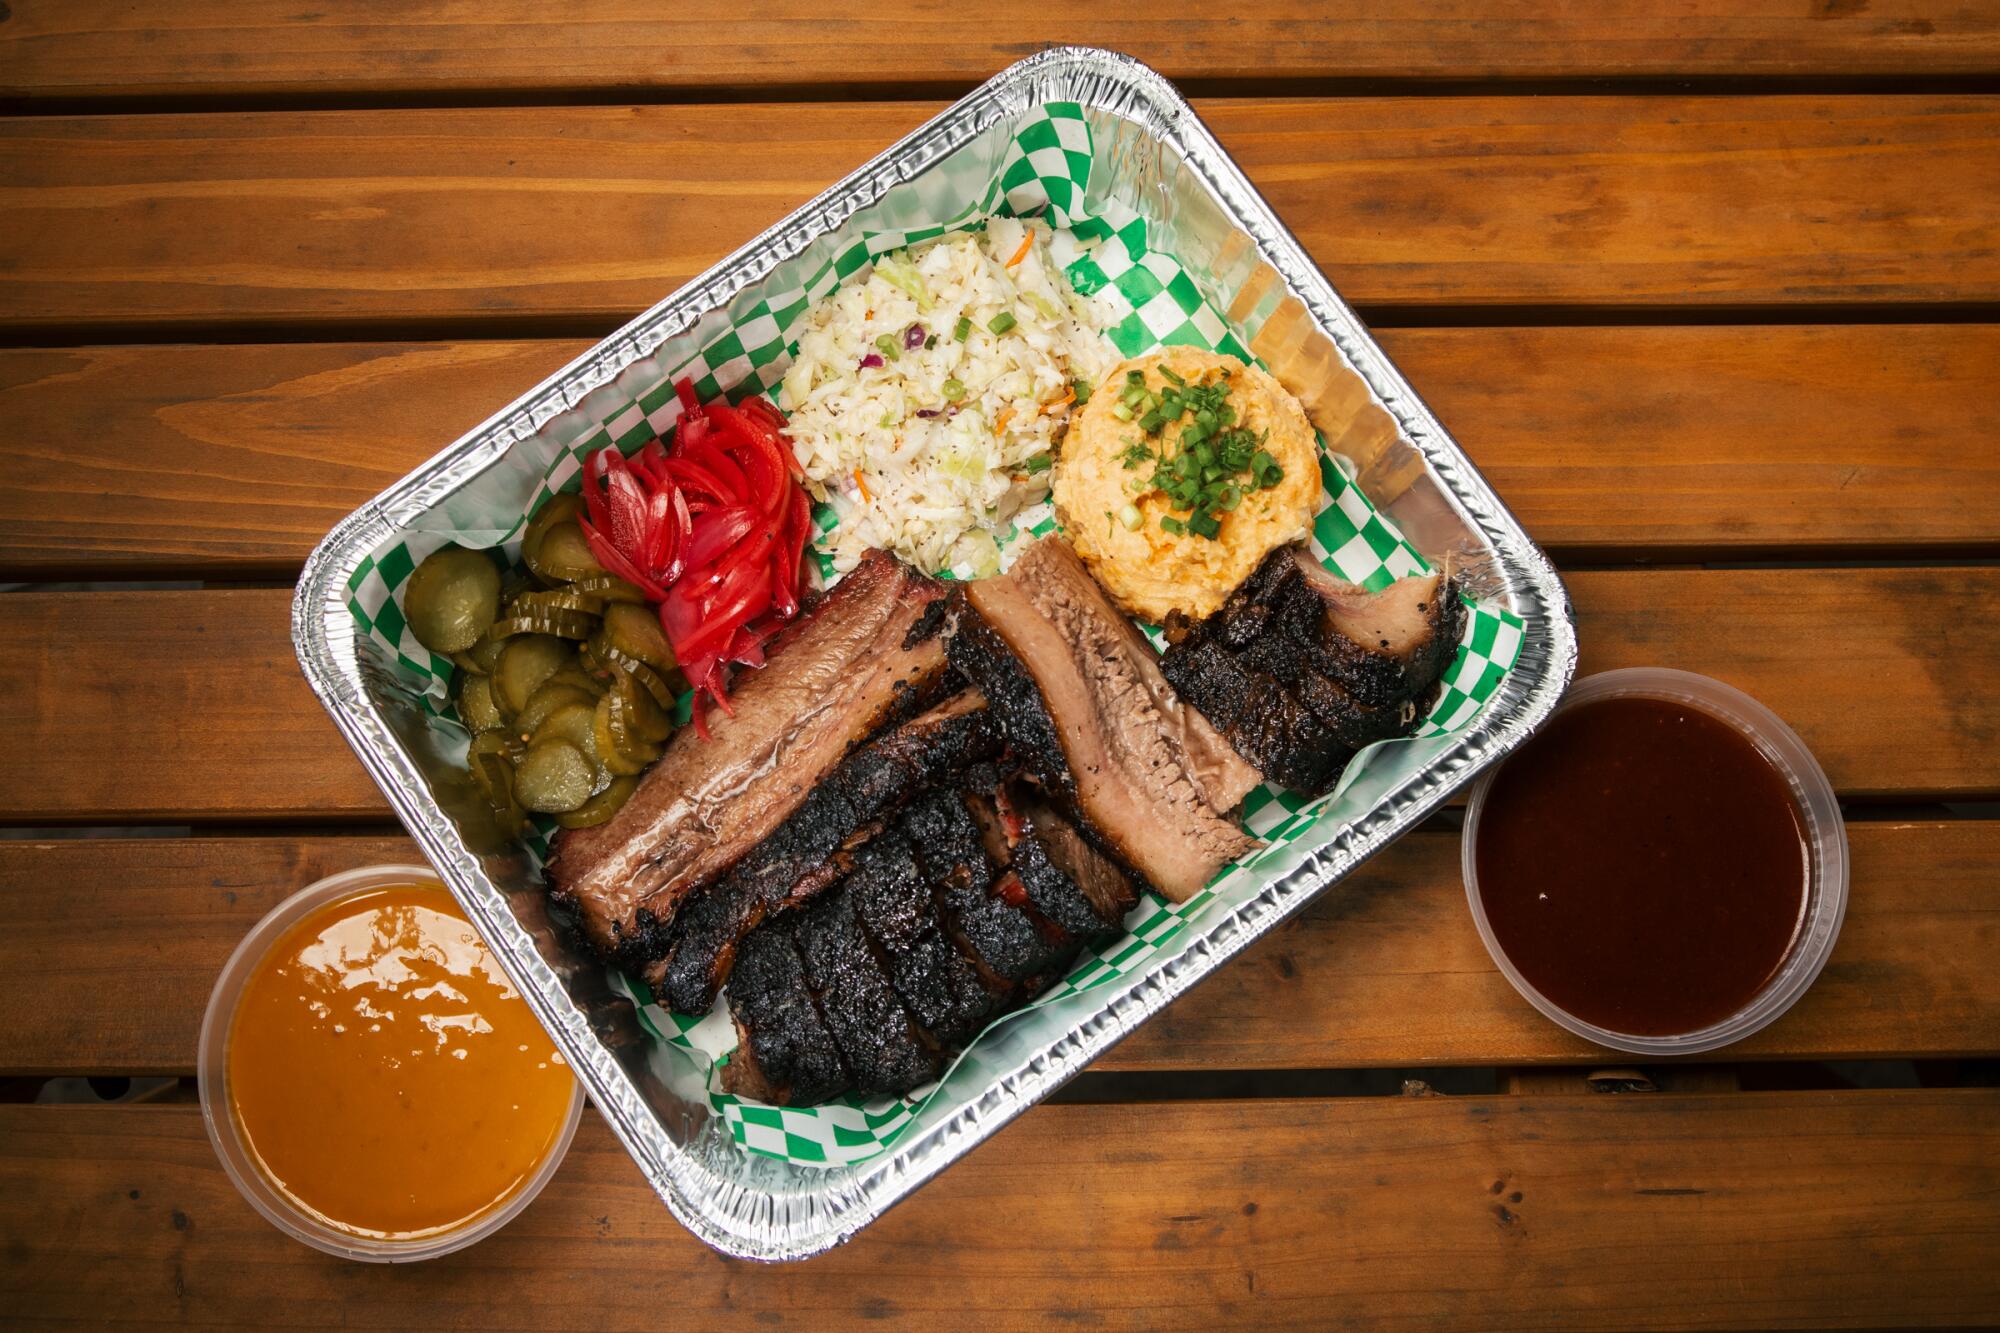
<point>1107,249</point>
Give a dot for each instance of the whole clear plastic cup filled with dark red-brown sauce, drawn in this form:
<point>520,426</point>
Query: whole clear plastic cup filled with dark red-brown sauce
<point>1651,846</point>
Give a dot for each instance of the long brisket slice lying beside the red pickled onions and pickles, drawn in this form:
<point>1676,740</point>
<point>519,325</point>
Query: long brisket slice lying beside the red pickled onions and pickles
<point>863,657</point>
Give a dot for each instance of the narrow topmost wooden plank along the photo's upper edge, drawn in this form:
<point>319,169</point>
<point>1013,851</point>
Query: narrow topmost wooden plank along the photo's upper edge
<point>55,49</point>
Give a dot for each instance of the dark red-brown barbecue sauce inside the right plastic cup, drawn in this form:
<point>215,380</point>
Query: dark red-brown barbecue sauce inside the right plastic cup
<point>1643,866</point>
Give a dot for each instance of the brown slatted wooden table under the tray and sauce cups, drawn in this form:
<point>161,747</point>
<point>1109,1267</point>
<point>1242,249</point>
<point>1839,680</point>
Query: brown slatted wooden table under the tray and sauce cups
<point>1711,299</point>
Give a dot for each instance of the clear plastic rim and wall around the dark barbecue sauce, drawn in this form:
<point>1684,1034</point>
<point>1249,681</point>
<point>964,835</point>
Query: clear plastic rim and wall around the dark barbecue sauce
<point>1827,894</point>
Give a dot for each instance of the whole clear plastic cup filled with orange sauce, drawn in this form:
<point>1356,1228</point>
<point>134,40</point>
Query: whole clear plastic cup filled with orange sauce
<point>371,992</point>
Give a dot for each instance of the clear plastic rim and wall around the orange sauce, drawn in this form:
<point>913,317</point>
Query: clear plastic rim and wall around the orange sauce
<point>227,1136</point>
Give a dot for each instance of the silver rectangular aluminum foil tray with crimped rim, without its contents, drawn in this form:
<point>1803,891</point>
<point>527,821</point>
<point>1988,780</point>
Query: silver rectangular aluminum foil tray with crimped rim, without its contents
<point>1169,167</point>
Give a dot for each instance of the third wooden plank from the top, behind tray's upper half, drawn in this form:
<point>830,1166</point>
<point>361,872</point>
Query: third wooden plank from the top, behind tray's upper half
<point>1803,441</point>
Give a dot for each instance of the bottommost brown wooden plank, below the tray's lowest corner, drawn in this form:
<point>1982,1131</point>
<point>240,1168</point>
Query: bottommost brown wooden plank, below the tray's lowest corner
<point>1647,1212</point>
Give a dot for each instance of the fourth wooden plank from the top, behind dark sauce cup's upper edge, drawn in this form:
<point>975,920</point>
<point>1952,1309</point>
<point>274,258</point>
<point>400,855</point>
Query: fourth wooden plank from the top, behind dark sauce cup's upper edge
<point>191,706</point>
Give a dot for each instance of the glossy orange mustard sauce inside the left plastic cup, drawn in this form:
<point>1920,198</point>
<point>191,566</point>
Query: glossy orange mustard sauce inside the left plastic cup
<point>387,1076</point>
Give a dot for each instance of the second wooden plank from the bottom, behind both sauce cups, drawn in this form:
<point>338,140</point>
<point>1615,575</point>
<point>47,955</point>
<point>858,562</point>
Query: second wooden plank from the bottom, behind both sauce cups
<point>113,946</point>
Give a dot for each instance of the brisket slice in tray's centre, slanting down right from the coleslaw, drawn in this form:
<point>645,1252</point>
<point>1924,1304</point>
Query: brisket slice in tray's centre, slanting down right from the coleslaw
<point>1085,706</point>
